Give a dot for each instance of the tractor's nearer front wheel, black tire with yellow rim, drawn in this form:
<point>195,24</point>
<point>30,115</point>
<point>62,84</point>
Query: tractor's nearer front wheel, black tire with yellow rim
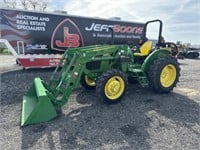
<point>111,86</point>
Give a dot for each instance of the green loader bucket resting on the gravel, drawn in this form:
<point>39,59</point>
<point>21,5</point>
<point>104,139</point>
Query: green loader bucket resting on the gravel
<point>36,106</point>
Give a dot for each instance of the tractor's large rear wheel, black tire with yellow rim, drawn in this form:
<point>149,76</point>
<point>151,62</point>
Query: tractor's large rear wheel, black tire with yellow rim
<point>164,74</point>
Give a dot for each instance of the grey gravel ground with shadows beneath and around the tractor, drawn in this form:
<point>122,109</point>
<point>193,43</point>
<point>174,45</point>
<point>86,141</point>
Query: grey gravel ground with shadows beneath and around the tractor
<point>143,119</point>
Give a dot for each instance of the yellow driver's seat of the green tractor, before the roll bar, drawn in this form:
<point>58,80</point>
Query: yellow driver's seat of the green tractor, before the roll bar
<point>145,49</point>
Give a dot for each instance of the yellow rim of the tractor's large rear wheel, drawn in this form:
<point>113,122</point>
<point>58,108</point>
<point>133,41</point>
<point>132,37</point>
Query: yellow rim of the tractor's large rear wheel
<point>168,75</point>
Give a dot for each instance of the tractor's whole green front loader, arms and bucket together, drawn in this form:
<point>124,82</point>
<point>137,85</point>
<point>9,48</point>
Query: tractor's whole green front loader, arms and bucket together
<point>63,81</point>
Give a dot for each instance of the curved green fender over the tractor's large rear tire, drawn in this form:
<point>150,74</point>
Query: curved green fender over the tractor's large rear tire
<point>153,56</point>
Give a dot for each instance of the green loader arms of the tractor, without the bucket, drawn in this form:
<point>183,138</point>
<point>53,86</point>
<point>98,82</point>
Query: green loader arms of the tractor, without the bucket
<point>60,87</point>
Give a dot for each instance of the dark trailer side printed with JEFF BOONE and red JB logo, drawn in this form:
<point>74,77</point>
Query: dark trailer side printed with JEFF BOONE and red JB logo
<point>49,33</point>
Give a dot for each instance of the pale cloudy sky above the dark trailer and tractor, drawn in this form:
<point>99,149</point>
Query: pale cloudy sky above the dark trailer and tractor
<point>181,18</point>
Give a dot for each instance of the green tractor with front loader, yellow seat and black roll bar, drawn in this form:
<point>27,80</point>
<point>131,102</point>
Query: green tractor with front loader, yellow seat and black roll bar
<point>104,68</point>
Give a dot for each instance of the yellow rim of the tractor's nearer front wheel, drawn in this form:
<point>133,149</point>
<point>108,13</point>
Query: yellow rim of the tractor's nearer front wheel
<point>114,87</point>
